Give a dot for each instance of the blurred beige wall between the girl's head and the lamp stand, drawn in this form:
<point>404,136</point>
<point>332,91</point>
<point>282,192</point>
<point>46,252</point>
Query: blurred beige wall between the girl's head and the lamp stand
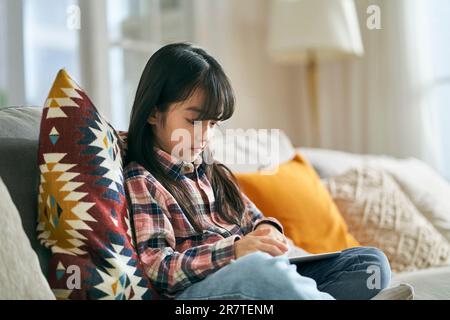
<point>267,94</point>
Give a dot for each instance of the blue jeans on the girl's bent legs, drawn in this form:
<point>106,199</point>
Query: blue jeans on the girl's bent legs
<point>259,276</point>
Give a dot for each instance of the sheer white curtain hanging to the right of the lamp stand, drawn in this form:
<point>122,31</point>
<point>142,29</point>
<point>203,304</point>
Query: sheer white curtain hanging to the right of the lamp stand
<point>379,104</point>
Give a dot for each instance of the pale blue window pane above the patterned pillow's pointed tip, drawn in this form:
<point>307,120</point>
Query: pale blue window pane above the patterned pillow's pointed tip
<point>49,45</point>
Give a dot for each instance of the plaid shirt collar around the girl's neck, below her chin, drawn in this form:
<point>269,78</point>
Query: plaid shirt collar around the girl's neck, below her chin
<point>176,167</point>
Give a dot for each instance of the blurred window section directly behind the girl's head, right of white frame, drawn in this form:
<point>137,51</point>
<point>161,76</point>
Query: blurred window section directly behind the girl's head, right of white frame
<point>138,28</point>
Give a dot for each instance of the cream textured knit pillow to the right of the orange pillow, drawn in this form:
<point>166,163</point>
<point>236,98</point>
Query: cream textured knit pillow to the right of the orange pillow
<point>379,214</point>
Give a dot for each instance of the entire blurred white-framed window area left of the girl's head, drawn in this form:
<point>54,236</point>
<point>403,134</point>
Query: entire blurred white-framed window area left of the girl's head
<point>106,55</point>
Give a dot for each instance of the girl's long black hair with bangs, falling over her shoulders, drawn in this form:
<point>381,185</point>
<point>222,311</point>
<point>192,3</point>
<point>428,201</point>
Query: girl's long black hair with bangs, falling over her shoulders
<point>171,75</point>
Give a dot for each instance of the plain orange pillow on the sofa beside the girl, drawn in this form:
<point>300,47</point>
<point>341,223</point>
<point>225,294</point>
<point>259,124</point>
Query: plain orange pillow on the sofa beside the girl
<point>296,197</point>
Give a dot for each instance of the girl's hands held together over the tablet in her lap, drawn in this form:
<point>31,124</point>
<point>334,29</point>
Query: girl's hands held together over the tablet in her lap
<point>259,240</point>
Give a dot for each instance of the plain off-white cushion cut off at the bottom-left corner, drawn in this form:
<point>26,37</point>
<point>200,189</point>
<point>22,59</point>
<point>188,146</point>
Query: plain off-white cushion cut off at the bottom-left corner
<point>20,273</point>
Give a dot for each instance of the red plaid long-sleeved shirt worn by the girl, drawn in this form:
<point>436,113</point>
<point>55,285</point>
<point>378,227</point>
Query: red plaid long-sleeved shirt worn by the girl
<point>173,253</point>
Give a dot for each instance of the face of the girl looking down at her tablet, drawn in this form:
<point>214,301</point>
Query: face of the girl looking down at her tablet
<point>178,132</point>
